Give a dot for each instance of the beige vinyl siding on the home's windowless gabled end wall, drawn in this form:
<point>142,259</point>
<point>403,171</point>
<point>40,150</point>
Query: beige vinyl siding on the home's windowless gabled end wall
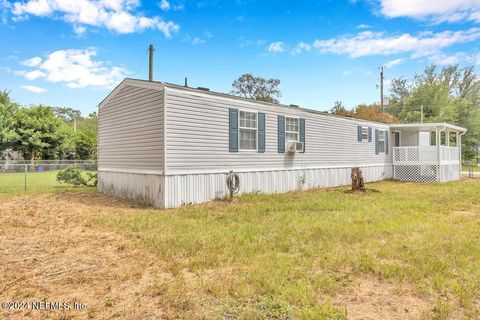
<point>131,130</point>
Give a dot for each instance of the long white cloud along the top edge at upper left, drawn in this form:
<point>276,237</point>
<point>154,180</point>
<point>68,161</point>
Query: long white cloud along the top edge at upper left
<point>115,15</point>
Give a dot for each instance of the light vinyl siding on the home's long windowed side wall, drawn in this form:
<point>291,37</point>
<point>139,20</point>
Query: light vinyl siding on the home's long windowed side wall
<point>195,143</point>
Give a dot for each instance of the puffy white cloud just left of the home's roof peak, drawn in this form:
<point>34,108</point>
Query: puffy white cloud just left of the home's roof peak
<point>76,69</point>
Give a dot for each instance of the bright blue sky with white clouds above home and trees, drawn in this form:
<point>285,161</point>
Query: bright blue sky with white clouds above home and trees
<point>72,53</point>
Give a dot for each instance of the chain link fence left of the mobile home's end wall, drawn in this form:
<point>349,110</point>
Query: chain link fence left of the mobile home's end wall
<point>38,175</point>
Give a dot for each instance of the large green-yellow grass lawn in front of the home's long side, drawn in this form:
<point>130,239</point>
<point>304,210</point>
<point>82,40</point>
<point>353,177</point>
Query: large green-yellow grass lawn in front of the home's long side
<point>274,256</point>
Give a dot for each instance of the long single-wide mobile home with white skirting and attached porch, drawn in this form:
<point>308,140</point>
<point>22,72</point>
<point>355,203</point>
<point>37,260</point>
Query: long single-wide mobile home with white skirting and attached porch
<point>168,145</point>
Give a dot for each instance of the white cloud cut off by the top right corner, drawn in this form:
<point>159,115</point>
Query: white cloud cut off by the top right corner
<point>435,10</point>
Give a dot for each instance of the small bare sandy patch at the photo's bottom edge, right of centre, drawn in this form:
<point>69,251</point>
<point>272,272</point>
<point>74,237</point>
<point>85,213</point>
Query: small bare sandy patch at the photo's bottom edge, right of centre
<point>369,298</point>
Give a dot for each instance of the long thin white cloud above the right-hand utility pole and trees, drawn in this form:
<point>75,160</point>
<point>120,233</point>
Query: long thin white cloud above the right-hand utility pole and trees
<point>379,43</point>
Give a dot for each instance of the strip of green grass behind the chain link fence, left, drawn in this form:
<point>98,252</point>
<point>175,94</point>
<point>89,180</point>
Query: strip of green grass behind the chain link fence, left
<point>36,182</point>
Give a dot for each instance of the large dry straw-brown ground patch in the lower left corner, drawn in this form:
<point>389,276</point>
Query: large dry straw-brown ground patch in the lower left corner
<point>51,252</point>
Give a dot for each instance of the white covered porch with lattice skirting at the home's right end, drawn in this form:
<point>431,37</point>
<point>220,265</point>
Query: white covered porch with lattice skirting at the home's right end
<point>427,152</point>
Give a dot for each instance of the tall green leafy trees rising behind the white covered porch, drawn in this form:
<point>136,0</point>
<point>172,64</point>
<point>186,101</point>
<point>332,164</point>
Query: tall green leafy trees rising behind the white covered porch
<point>448,94</point>
